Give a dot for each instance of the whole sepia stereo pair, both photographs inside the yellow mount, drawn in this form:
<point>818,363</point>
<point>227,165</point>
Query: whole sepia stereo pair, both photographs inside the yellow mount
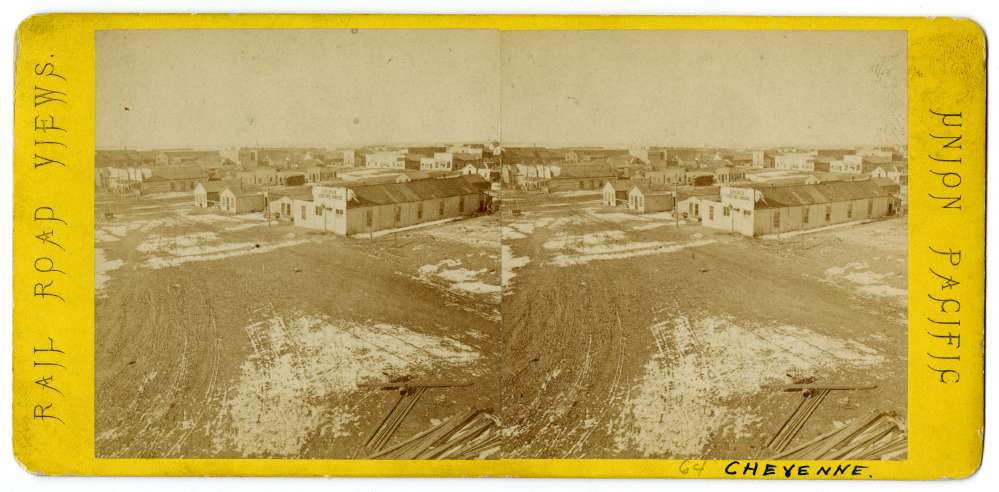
<point>455,244</point>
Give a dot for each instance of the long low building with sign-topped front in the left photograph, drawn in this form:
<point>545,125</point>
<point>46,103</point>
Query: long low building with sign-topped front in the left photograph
<point>348,209</point>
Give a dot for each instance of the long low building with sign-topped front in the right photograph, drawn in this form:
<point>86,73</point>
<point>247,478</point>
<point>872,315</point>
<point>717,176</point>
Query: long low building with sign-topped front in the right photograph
<point>761,210</point>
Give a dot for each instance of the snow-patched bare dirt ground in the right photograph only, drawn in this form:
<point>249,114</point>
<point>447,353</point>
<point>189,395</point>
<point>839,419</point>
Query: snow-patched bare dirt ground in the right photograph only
<point>630,336</point>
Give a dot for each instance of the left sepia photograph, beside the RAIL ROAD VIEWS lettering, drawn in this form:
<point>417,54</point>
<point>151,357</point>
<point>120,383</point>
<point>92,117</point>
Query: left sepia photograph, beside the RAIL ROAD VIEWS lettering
<point>296,254</point>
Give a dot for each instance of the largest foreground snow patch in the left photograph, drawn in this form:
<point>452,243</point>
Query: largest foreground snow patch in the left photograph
<point>304,373</point>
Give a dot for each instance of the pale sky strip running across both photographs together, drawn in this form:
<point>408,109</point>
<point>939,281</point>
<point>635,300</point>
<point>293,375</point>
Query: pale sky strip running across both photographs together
<point>215,88</point>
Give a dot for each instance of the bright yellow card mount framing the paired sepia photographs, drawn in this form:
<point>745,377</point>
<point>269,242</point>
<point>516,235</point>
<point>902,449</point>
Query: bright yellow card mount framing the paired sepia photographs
<point>54,181</point>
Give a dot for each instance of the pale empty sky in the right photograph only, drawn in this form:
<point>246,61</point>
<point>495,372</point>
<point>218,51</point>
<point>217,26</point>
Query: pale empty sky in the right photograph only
<point>711,88</point>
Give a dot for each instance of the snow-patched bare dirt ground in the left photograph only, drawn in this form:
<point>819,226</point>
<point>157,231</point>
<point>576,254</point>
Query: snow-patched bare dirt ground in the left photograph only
<point>224,336</point>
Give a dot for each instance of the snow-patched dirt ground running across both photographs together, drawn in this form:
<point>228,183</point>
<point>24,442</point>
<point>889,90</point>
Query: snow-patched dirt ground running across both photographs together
<point>603,334</point>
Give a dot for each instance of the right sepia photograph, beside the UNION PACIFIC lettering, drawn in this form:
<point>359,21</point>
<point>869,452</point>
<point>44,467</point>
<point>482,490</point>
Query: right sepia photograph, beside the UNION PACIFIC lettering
<point>704,244</point>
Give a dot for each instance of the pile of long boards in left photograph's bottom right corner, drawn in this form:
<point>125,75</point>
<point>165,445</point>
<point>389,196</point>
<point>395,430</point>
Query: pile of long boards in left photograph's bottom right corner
<point>474,434</point>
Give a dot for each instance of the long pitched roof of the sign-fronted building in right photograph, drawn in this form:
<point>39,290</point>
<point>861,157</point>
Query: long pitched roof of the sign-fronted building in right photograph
<point>815,194</point>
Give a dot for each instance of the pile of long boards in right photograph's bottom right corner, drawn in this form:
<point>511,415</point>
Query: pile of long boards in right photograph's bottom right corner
<point>879,437</point>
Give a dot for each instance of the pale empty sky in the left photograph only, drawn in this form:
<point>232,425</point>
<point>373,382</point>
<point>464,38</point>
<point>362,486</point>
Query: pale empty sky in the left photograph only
<point>213,88</point>
